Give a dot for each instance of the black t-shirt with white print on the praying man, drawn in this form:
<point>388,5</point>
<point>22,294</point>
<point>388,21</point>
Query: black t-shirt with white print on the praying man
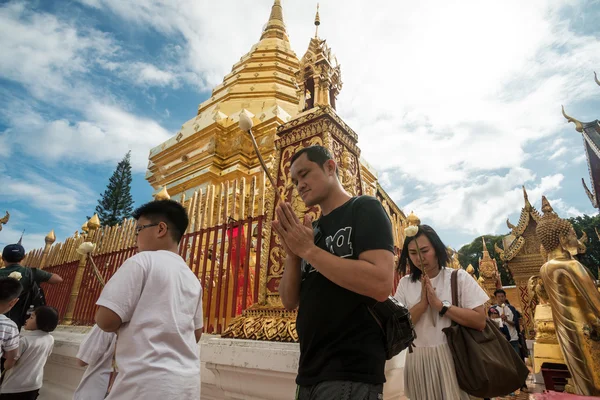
<point>339,339</point>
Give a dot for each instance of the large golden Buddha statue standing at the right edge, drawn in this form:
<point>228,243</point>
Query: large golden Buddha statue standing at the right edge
<point>574,300</point>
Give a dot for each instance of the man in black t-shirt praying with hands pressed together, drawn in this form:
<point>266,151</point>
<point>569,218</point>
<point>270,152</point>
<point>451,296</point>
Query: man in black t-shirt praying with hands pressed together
<point>335,269</point>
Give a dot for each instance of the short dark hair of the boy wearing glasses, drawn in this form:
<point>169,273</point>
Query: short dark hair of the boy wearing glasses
<point>168,211</point>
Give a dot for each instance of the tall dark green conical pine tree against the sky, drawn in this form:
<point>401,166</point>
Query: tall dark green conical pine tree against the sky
<point>116,202</point>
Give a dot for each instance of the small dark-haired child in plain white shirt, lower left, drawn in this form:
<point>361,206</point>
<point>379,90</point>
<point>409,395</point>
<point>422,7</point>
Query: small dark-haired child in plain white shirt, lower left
<point>24,380</point>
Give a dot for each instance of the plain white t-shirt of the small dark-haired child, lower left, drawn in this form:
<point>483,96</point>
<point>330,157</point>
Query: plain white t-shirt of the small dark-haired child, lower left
<point>28,373</point>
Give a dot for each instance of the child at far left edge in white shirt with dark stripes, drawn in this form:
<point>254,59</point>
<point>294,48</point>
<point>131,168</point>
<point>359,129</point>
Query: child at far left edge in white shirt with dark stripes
<point>10,289</point>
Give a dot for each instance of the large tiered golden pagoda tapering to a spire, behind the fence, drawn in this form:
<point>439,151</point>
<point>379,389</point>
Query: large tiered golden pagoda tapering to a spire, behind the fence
<point>210,148</point>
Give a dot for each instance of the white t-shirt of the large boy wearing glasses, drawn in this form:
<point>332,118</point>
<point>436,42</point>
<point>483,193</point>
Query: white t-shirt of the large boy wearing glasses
<point>159,300</point>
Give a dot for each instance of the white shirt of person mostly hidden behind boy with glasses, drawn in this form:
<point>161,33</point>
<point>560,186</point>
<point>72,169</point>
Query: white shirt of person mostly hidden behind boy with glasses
<point>96,350</point>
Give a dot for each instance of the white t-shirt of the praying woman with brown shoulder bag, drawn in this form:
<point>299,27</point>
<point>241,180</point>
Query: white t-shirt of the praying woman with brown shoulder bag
<point>470,295</point>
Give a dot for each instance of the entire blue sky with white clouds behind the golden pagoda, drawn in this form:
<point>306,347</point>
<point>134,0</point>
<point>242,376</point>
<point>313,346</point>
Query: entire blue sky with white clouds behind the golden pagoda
<point>457,104</point>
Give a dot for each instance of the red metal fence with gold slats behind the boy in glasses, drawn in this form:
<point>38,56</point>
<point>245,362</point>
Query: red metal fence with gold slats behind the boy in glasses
<point>225,258</point>
